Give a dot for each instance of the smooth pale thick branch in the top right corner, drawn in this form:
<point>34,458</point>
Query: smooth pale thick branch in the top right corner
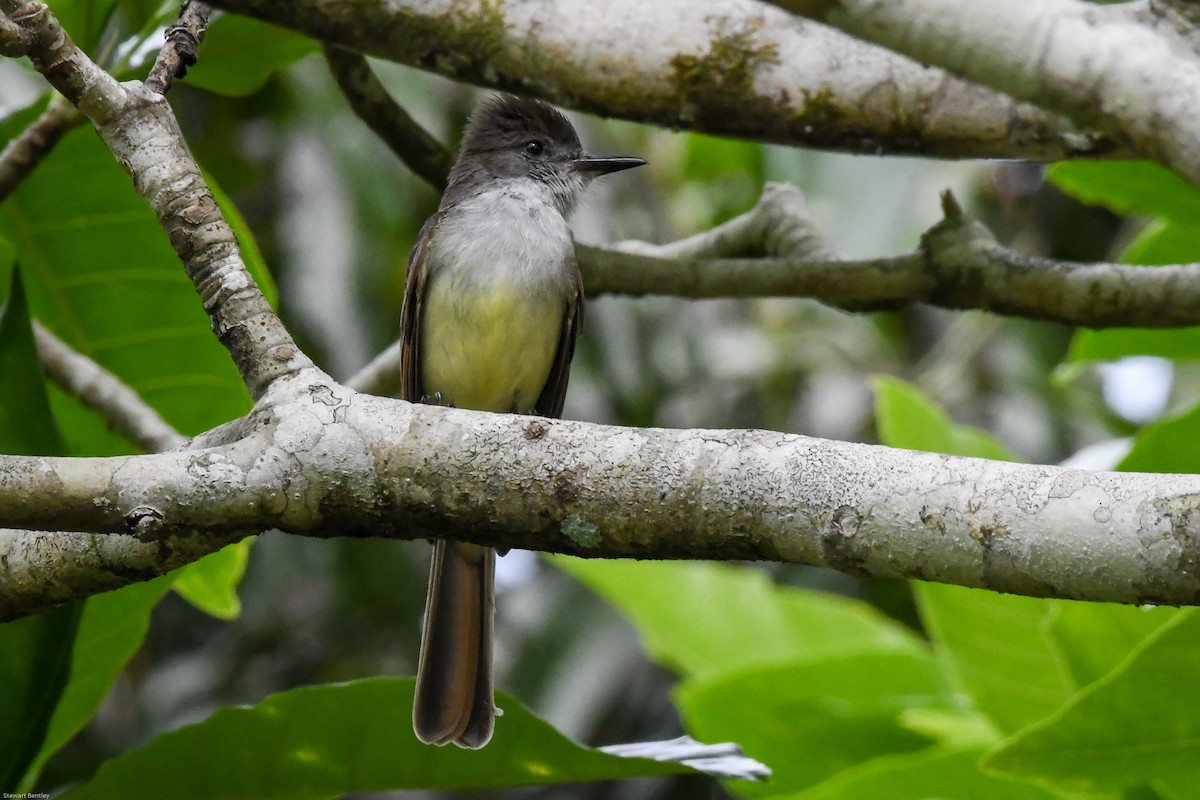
<point>1136,76</point>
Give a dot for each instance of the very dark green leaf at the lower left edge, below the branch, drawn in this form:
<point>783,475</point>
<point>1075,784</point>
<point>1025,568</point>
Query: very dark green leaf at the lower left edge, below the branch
<point>35,661</point>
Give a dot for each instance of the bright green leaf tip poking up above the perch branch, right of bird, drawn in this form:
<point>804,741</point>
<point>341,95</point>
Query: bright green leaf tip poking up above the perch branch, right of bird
<point>908,419</point>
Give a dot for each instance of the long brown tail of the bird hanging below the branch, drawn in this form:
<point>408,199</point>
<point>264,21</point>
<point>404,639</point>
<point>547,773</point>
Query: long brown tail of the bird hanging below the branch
<point>454,678</point>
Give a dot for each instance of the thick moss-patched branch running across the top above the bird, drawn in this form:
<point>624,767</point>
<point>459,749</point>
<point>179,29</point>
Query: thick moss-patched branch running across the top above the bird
<point>731,68</point>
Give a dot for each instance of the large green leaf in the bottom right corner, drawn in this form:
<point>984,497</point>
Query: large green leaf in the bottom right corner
<point>1141,724</point>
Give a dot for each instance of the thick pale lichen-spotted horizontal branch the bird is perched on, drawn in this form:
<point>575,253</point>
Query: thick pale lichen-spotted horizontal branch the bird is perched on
<point>325,461</point>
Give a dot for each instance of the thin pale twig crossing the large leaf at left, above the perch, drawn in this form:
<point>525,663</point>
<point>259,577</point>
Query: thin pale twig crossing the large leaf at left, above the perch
<point>99,389</point>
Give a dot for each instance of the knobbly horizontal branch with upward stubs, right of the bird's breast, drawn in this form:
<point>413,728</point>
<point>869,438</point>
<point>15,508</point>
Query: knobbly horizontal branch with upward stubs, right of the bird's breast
<point>959,264</point>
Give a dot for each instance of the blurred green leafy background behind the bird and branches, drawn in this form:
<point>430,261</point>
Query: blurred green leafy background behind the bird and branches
<point>847,689</point>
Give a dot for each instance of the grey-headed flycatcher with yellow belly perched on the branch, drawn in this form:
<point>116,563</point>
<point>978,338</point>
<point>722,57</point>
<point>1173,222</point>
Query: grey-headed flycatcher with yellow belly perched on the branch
<point>493,305</point>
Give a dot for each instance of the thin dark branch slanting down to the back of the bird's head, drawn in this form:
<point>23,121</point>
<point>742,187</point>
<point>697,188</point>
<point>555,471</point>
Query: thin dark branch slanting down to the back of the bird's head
<point>413,145</point>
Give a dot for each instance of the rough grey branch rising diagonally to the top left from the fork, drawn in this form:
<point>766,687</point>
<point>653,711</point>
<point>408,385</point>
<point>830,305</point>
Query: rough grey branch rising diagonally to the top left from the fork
<point>141,130</point>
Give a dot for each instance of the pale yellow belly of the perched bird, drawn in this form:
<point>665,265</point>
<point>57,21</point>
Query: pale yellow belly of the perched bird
<point>489,350</point>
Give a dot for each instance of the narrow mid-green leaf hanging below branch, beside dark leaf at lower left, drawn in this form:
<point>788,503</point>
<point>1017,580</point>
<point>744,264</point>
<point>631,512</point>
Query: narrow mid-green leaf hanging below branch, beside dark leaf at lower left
<point>111,630</point>
